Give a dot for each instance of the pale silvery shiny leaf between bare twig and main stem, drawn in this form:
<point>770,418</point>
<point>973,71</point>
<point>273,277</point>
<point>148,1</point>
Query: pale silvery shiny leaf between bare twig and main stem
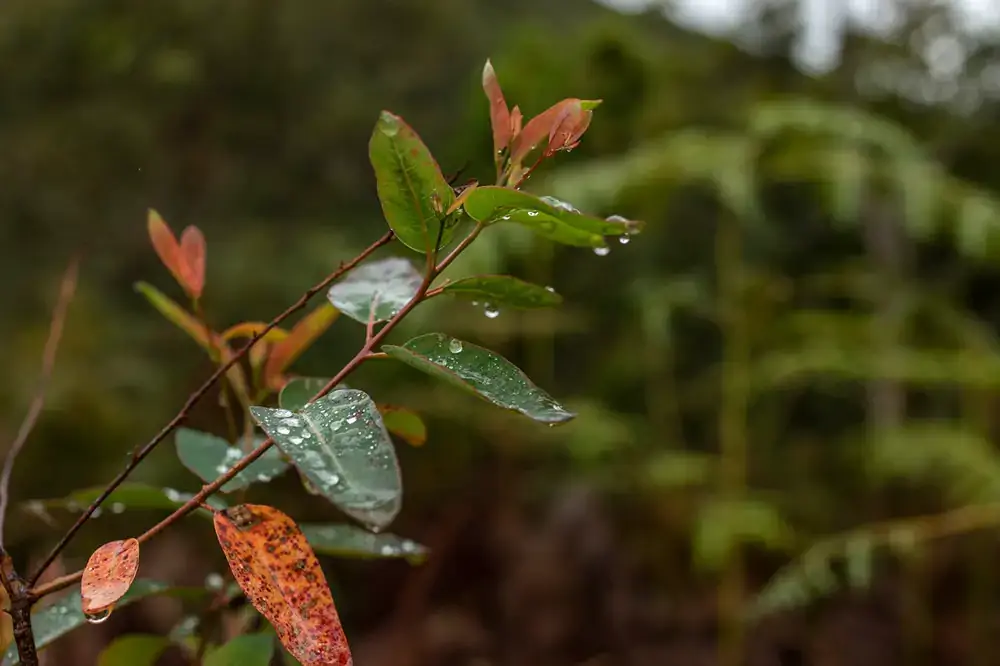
<point>389,283</point>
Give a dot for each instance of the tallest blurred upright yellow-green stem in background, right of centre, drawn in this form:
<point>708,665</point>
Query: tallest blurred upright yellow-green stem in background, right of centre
<point>732,425</point>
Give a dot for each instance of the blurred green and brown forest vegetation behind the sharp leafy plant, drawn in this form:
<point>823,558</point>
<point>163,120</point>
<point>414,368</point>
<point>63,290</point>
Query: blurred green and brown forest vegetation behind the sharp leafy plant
<point>787,385</point>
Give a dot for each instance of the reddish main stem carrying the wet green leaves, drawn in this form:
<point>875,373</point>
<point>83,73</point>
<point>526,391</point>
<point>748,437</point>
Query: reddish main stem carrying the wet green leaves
<point>362,355</point>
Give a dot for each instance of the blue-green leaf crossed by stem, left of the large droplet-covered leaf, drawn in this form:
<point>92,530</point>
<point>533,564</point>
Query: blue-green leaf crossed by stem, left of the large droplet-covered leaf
<point>209,457</point>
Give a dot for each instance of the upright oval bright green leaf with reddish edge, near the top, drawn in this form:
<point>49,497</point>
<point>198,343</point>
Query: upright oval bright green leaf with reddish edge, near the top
<point>411,188</point>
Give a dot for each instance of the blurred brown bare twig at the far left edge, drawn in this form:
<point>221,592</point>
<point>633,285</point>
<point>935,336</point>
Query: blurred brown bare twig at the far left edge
<point>66,290</point>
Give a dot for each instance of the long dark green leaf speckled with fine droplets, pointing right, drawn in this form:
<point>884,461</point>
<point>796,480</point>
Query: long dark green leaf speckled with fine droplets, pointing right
<point>481,372</point>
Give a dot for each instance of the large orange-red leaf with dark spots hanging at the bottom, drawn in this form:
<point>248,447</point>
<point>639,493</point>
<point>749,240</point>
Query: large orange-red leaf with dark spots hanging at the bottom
<point>278,571</point>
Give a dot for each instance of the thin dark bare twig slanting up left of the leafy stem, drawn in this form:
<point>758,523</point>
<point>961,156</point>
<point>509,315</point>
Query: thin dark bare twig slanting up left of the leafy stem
<point>140,453</point>
